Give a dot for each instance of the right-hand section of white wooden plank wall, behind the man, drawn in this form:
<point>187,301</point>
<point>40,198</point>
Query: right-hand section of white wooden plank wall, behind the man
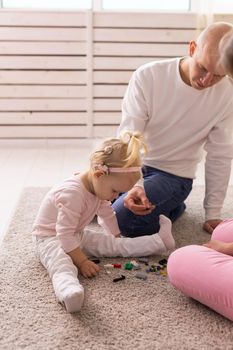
<point>123,42</point>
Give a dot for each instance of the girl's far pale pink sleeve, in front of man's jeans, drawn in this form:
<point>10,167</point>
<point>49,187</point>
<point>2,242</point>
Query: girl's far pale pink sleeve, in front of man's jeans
<point>107,218</point>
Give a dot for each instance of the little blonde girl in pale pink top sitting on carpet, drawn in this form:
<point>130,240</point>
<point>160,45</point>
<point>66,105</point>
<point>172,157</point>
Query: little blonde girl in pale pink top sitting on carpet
<point>63,242</point>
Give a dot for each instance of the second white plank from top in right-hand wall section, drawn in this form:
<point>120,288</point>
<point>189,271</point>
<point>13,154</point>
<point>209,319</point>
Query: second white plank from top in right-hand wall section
<point>144,35</point>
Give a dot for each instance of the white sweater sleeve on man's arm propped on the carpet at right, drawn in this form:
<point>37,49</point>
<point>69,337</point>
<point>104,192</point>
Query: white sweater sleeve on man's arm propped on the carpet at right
<point>219,148</point>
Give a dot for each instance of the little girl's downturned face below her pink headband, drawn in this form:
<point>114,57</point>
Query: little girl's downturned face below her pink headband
<point>108,187</point>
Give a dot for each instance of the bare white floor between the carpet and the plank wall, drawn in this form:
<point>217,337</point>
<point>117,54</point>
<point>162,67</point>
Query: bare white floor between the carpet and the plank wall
<point>41,163</point>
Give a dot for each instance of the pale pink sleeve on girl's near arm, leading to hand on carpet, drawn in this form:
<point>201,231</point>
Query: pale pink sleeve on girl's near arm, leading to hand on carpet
<point>69,210</point>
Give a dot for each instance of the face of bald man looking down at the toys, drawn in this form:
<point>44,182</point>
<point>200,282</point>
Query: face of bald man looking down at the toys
<point>204,69</point>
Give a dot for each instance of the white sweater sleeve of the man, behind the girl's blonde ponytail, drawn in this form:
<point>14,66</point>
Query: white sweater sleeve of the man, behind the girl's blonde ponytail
<point>134,106</point>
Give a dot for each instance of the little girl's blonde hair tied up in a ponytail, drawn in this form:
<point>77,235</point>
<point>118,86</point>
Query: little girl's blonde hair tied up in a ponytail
<point>122,152</point>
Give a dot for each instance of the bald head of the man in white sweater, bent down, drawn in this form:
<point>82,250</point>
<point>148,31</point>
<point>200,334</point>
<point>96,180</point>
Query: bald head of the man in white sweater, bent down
<point>203,68</point>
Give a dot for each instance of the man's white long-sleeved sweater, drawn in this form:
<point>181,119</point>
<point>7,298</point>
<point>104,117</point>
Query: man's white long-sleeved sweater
<point>178,122</point>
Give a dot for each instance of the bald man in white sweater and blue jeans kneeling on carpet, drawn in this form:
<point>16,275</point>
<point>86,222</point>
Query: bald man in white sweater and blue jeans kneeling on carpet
<point>182,106</point>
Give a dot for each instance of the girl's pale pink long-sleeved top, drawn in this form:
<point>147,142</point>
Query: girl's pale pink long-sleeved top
<point>67,209</point>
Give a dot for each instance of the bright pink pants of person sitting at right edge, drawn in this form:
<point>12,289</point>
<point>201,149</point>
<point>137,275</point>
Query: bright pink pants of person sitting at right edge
<point>205,274</point>
